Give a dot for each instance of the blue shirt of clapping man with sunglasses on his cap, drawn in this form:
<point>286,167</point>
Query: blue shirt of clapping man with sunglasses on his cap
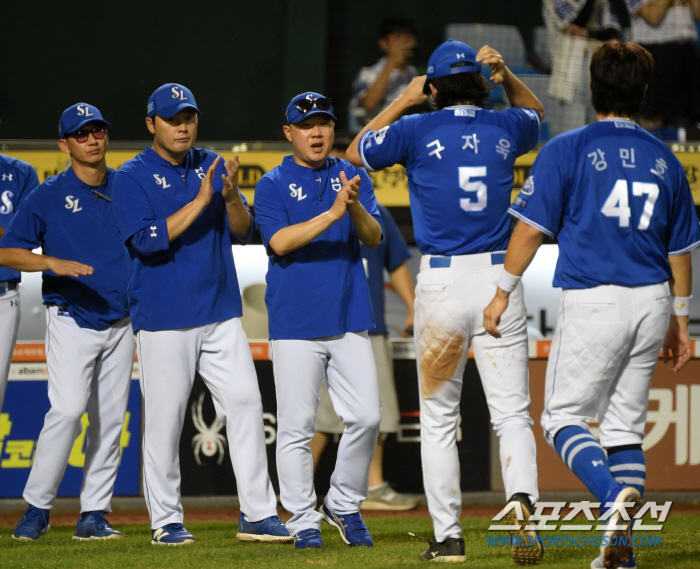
<point>320,289</point>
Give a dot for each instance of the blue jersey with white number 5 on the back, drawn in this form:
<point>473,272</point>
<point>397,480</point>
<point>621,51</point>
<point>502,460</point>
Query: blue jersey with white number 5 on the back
<point>459,163</point>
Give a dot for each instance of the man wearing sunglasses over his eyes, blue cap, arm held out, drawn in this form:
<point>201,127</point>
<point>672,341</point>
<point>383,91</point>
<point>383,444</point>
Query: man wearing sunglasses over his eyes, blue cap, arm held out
<point>89,345</point>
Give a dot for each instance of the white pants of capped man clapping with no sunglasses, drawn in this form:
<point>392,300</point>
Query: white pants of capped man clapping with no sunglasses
<point>221,355</point>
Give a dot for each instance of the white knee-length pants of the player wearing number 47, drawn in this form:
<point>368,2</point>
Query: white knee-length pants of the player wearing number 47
<point>603,356</point>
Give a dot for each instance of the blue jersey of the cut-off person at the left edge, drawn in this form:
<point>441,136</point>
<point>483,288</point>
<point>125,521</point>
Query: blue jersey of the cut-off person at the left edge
<point>17,179</point>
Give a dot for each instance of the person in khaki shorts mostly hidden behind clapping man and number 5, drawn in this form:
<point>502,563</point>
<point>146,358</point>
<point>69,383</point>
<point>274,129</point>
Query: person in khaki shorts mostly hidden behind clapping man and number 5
<point>391,254</point>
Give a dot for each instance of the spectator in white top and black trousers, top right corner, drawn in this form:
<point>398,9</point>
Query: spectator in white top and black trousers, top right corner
<point>666,28</point>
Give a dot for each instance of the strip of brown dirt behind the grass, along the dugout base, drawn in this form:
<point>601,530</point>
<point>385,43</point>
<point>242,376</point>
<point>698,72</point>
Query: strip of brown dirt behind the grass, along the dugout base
<point>225,514</point>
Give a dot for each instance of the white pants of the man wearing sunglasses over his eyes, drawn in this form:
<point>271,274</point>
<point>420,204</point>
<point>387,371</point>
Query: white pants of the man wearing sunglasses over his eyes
<point>86,368</point>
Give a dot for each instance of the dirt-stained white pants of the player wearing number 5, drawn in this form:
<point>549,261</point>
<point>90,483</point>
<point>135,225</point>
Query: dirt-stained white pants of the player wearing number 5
<point>450,301</point>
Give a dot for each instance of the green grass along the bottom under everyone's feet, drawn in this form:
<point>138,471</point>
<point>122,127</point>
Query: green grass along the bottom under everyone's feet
<point>217,547</point>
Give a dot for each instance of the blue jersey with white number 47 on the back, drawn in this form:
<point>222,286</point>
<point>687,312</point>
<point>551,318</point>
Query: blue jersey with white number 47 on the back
<point>618,201</point>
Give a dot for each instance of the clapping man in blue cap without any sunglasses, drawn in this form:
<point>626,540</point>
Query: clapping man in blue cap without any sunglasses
<point>178,209</point>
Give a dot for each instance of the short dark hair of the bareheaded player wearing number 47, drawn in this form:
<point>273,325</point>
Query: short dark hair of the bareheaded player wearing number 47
<point>620,72</point>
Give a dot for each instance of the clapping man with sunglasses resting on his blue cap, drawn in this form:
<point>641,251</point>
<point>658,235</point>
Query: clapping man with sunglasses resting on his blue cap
<point>313,212</point>
